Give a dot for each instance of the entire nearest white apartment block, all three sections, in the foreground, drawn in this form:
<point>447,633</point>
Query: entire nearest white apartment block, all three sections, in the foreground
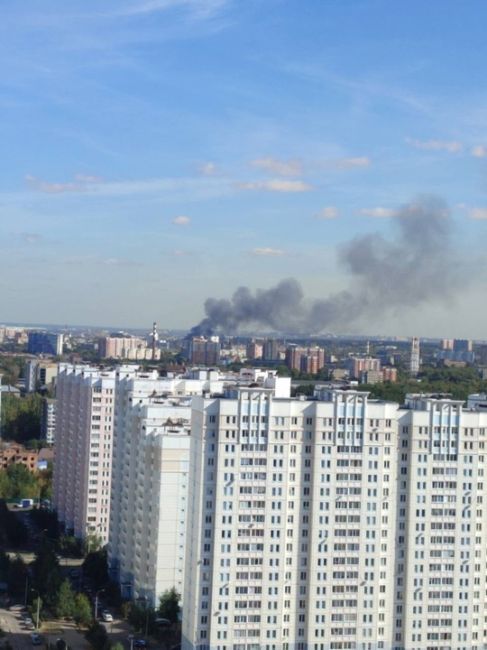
<point>337,523</point>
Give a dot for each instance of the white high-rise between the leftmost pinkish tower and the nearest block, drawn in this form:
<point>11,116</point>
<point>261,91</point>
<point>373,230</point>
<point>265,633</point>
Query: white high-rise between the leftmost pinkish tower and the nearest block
<point>150,475</point>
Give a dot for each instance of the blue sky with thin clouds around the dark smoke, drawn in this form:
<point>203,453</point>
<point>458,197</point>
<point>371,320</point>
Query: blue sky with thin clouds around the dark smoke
<point>156,152</point>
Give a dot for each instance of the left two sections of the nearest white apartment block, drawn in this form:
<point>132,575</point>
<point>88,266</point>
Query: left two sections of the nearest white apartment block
<point>291,523</point>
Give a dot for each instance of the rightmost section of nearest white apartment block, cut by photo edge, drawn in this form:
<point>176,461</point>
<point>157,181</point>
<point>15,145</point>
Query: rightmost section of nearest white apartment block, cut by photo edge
<point>441,586</point>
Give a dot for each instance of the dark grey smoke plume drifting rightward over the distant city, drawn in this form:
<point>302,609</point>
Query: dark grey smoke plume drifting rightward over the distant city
<point>413,267</point>
